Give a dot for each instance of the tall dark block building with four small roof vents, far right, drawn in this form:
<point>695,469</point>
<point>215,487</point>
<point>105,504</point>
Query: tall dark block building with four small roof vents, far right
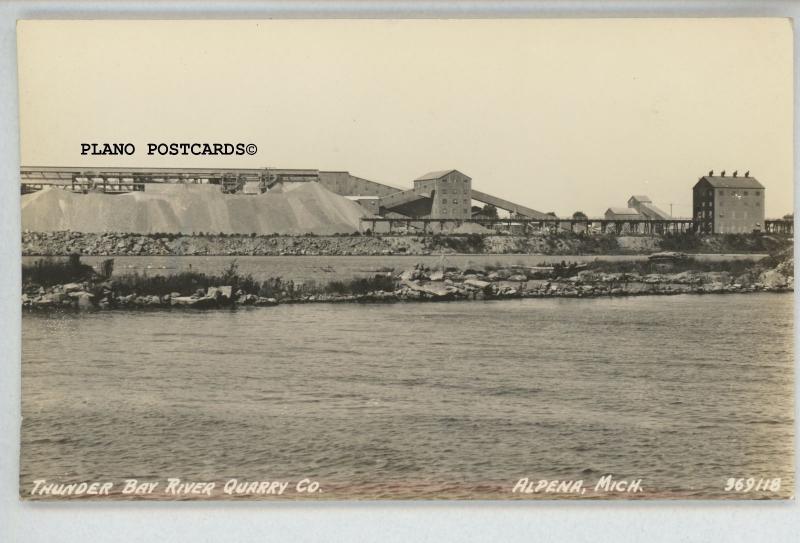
<point>728,204</point>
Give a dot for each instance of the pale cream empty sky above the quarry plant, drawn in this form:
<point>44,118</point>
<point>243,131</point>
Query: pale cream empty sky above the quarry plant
<point>559,115</point>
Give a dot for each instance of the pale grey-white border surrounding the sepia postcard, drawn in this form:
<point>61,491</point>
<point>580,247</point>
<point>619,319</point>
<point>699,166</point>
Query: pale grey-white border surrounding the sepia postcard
<point>357,521</point>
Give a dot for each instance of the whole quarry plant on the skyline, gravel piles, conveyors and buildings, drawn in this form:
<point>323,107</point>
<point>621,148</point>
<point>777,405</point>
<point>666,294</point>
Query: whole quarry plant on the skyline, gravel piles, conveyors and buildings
<point>292,200</point>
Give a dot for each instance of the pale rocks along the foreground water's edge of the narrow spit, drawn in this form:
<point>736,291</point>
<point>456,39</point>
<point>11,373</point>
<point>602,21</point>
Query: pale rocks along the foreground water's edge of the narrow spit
<point>423,284</point>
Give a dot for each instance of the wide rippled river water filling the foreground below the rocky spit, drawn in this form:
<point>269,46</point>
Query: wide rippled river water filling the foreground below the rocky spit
<point>439,400</point>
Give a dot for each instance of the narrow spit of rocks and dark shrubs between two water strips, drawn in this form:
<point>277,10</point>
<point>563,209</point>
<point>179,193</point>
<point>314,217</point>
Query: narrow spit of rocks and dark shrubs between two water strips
<point>70,284</point>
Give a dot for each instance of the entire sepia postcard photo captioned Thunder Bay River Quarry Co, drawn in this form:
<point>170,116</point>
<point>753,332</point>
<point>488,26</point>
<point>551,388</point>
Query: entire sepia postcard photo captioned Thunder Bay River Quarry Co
<point>476,259</point>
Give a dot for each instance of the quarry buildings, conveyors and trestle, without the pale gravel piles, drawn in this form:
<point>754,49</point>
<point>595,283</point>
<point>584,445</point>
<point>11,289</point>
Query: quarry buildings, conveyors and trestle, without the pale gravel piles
<point>439,200</point>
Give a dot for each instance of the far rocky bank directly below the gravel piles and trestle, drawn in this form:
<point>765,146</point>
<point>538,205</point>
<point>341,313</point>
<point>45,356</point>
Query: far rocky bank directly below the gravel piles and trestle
<point>553,243</point>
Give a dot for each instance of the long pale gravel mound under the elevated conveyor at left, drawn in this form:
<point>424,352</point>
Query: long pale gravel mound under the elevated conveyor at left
<point>188,209</point>
